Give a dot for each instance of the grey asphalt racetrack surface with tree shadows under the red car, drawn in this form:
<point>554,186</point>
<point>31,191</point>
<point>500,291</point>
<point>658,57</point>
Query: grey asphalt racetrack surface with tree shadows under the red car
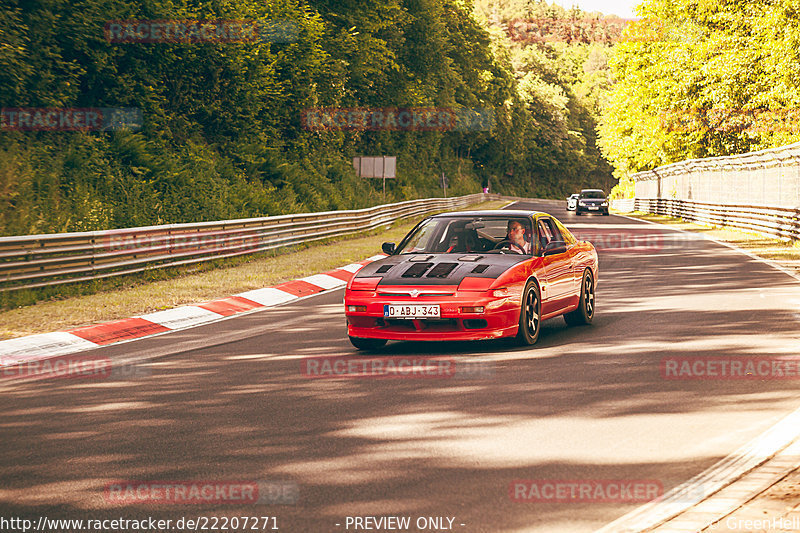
<point>228,401</point>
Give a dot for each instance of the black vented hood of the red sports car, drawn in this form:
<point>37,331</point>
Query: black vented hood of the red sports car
<point>439,269</point>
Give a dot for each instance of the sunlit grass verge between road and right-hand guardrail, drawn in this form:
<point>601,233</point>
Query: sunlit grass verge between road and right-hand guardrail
<point>785,252</point>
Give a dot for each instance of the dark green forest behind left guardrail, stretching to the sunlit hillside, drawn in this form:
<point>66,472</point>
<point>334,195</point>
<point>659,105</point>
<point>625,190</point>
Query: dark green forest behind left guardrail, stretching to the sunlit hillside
<point>222,135</point>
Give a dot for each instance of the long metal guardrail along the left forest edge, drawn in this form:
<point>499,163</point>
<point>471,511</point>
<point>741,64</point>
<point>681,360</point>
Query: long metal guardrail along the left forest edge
<point>32,261</point>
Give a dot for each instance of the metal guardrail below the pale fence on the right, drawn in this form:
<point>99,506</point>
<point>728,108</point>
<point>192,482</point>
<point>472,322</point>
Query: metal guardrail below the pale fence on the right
<point>775,221</point>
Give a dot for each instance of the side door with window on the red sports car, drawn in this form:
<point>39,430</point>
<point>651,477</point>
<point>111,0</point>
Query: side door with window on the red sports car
<point>559,269</point>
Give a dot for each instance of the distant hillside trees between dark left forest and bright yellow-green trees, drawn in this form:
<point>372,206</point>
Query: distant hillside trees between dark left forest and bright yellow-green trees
<point>561,74</point>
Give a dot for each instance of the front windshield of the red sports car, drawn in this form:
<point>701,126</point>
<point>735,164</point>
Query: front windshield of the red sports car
<point>461,234</point>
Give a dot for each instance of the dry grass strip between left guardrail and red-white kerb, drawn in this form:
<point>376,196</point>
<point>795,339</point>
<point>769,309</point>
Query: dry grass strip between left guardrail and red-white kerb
<point>129,296</point>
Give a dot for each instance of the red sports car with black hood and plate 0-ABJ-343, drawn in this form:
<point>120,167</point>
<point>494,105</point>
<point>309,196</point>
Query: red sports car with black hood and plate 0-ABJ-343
<point>473,275</point>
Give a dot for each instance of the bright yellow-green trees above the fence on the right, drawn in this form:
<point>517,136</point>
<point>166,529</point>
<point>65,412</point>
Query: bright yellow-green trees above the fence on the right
<point>703,78</point>
